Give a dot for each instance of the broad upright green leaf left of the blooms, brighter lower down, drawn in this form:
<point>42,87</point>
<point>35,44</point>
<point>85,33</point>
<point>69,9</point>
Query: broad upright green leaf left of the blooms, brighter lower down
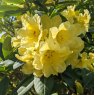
<point>7,48</point>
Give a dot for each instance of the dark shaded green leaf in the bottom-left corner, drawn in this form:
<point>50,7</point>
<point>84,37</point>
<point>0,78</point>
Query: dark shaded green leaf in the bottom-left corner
<point>4,86</point>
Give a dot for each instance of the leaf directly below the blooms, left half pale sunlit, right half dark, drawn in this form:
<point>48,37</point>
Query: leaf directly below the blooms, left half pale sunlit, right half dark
<point>43,86</point>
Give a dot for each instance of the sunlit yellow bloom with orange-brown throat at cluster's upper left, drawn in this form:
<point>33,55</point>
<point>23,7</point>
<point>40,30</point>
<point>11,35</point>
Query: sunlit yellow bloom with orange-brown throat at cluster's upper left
<point>31,27</point>
